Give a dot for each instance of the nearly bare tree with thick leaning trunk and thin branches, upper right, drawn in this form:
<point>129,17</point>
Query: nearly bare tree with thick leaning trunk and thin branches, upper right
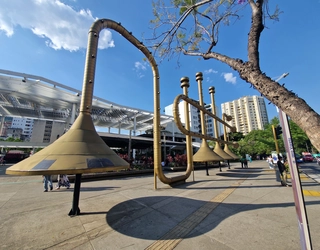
<point>192,27</point>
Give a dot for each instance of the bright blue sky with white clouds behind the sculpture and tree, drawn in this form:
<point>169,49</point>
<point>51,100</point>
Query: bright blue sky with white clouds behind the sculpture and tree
<point>49,38</point>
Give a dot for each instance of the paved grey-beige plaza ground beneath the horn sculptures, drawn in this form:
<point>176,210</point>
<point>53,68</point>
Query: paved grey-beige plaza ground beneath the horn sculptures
<point>236,209</point>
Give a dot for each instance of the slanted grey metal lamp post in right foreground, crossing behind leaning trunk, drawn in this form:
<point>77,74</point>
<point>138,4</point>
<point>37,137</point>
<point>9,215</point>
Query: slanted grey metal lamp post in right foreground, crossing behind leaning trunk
<point>305,239</point>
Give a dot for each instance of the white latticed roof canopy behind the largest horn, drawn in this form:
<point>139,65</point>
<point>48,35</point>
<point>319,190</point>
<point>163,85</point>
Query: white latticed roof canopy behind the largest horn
<point>31,96</point>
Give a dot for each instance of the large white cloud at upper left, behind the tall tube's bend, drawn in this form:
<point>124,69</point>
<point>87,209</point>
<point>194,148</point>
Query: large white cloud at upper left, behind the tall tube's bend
<point>61,25</point>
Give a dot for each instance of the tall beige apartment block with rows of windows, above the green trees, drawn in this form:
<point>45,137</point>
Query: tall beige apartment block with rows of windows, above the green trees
<point>248,113</point>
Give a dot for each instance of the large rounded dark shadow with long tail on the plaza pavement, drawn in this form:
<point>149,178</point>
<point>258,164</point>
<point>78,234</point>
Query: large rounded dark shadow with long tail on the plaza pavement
<point>139,218</point>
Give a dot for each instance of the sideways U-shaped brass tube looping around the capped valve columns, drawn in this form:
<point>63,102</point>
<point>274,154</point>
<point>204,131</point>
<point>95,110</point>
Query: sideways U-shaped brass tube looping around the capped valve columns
<point>178,122</point>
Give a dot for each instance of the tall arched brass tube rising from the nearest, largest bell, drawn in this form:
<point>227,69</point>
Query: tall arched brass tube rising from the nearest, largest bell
<point>89,75</point>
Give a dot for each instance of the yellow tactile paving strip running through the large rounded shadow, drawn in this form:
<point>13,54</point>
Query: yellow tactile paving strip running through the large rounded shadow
<point>171,239</point>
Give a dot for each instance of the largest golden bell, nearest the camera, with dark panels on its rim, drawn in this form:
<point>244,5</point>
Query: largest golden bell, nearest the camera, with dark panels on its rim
<point>79,150</point>
